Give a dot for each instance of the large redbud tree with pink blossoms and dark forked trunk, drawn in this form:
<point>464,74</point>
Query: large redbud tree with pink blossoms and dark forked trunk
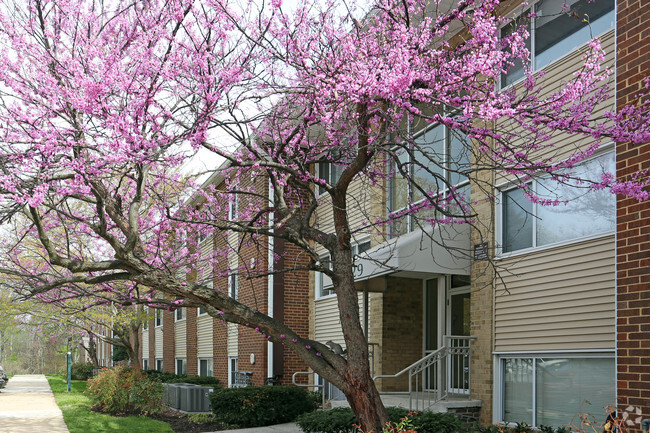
<point>102,102</point>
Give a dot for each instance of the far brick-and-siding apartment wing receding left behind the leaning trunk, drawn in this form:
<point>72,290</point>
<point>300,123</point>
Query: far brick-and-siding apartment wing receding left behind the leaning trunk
<point>190,341</point>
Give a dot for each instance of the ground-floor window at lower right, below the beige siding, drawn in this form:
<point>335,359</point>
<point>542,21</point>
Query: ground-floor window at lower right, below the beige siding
<point>552,389</point>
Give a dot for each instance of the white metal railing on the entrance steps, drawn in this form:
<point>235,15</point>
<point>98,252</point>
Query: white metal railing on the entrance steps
<point>439,375</point>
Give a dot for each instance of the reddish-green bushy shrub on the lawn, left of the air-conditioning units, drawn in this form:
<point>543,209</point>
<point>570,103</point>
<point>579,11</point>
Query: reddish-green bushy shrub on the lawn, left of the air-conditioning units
<point>123,390</point>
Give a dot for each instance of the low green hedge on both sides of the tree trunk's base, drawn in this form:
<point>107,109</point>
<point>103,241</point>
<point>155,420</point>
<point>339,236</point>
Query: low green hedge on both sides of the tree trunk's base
<point>343,420</point>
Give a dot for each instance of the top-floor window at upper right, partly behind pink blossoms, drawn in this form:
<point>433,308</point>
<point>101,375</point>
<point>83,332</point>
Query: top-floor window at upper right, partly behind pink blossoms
<point>556,32</point>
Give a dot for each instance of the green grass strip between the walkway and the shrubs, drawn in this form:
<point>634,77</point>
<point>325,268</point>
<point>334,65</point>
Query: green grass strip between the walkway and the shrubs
<point>80,419</point>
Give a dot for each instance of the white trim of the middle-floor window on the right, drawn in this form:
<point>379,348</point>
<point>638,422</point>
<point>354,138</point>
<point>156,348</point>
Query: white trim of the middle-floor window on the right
<point>498,215</point>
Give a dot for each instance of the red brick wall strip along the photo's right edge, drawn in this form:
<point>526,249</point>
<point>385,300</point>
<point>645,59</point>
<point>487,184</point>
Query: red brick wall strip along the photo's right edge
<point>633,221</point>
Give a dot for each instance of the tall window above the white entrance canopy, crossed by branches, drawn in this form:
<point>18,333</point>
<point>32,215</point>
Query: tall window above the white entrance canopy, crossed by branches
<point>440,156</point>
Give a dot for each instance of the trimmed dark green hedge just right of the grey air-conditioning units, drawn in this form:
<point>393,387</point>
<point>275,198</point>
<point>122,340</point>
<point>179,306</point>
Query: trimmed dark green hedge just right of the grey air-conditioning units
<point>256,406</point>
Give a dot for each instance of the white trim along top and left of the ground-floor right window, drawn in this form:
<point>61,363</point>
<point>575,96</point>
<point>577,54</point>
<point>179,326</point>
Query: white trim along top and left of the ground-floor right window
<point>498,357</point>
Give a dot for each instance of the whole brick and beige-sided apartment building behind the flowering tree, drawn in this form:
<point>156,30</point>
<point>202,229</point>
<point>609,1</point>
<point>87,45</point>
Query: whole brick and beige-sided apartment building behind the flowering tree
<point>539,316</point>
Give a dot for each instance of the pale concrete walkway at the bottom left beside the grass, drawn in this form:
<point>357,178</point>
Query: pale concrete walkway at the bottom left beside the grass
<point>27,405</point>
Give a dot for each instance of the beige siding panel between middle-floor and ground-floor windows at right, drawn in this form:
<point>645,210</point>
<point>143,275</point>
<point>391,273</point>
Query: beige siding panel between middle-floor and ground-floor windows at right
<point>561,298</point>
